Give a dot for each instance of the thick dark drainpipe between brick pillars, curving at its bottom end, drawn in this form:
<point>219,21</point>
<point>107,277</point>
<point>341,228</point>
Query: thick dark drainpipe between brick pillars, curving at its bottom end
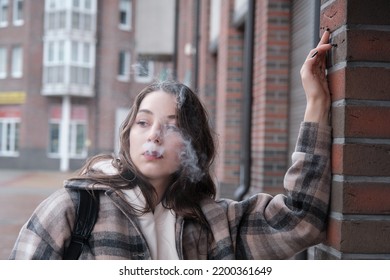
<point>245,161</point>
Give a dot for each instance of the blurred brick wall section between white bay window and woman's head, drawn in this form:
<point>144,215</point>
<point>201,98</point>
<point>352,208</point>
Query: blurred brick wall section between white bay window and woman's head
<point>110,92</point>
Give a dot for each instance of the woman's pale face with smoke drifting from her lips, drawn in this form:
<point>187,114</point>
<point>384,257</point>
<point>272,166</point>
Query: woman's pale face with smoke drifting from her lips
<point>155,140</point>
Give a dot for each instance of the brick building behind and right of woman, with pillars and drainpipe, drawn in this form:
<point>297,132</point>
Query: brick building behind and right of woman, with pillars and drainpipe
<point>243,58</point>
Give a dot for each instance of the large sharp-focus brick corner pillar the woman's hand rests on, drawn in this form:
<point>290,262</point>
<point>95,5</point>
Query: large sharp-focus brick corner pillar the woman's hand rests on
<point>359,75</point>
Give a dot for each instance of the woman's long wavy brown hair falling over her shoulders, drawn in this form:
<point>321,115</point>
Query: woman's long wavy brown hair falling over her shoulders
<point>192,182</point>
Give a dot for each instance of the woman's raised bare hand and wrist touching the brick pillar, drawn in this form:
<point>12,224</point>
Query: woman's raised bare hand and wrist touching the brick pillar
<point>315,84</point>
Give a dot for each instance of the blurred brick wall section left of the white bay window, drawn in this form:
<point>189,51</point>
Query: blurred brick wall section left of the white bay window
<point>29,35</point>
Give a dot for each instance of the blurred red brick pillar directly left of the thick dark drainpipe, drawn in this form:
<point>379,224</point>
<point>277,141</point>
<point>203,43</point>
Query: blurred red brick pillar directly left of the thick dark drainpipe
<point>229,97</point>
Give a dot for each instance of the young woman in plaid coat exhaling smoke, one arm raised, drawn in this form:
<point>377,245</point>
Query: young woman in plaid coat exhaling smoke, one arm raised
<point>157,198</point>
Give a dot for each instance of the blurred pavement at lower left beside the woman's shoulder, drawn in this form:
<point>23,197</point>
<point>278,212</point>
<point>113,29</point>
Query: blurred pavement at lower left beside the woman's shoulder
<point>20,193</point>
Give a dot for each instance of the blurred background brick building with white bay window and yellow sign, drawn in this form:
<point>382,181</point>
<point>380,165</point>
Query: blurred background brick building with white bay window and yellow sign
<point>68,72</point>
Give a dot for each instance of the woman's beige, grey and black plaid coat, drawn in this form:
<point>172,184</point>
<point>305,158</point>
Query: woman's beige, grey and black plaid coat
<point>260,227</point>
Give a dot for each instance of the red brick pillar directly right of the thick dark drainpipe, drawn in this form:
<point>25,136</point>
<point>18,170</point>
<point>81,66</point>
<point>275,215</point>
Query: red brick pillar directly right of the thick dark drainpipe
<point>270,95</point>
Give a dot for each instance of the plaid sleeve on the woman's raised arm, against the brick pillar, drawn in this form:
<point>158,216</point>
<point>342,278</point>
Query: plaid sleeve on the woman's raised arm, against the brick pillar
<point>267,227</point>
